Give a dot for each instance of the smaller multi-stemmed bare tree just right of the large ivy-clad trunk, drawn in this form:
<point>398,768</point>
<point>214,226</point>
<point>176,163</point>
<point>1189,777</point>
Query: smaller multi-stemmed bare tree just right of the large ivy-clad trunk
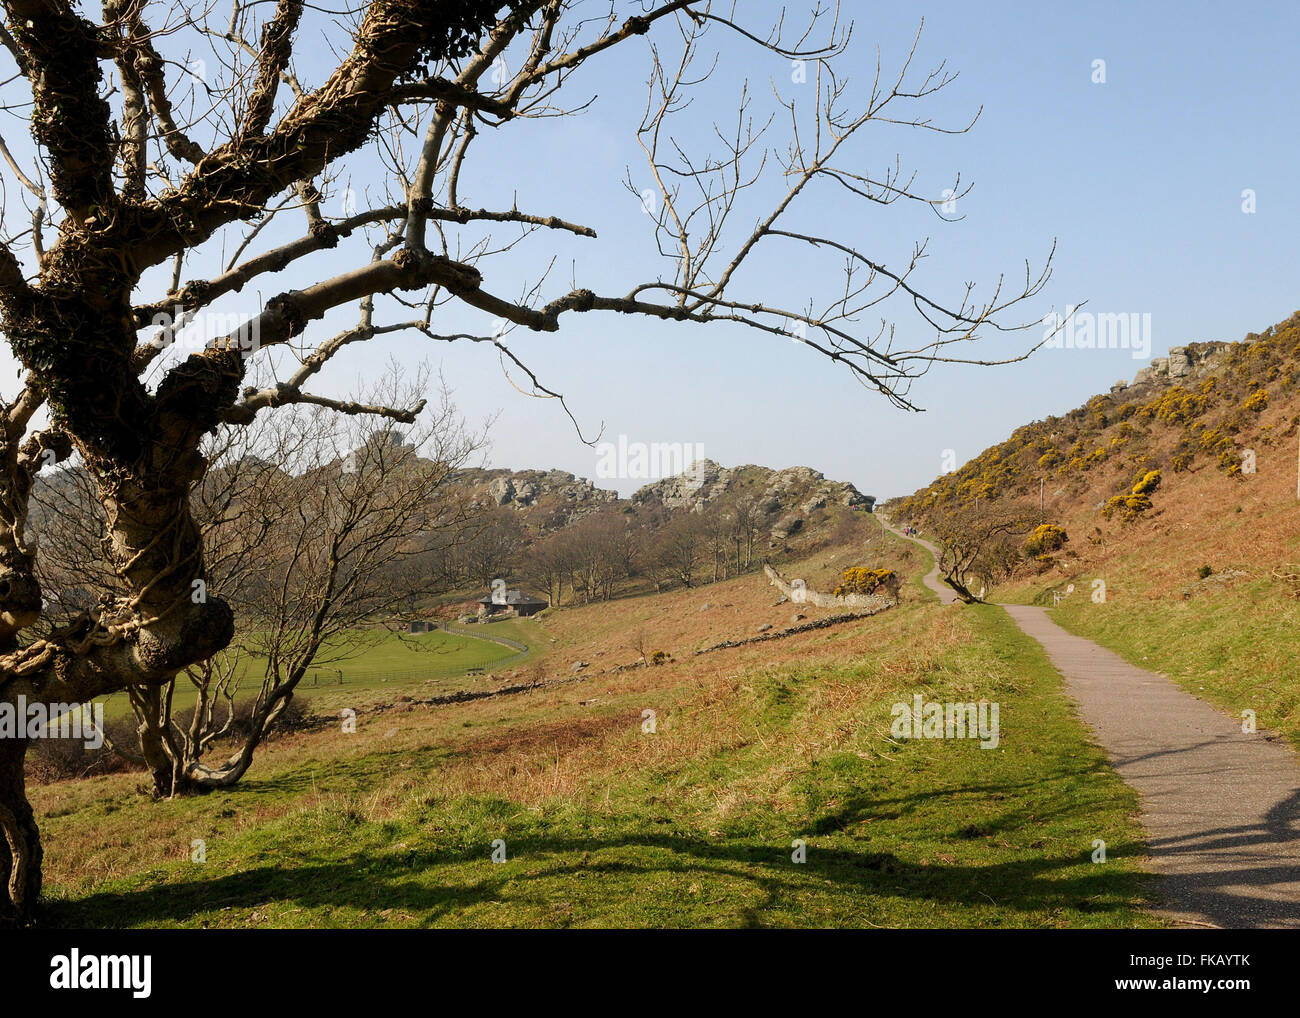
<point>315,532</point>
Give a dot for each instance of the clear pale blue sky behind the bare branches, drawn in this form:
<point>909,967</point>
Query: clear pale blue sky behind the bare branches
<point>1138,180</point>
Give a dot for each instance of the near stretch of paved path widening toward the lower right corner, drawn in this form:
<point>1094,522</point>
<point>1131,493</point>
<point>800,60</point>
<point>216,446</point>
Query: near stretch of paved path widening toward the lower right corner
<point>1221,808</point>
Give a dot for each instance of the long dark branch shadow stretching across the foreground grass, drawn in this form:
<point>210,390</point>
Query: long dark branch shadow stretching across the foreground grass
<point>635,864</point>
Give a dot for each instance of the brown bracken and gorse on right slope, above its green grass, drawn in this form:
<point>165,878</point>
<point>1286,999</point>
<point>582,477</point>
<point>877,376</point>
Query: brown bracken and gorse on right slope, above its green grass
<point>1223,443</point>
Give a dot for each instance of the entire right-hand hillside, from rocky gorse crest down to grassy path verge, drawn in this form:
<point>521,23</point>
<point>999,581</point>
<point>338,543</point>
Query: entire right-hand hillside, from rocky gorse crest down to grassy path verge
<point>1194,582</point>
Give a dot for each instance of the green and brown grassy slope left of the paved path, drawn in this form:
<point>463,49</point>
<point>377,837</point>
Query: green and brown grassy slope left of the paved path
<point>606,825</point>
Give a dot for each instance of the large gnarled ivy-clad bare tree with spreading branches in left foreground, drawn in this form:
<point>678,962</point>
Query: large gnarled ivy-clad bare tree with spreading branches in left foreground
<point>164,140</point>
